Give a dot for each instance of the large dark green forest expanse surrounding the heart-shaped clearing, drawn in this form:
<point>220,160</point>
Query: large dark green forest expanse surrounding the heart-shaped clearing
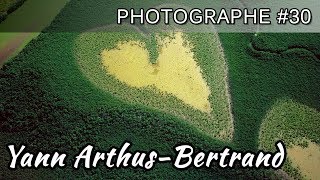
<point>48,103</point>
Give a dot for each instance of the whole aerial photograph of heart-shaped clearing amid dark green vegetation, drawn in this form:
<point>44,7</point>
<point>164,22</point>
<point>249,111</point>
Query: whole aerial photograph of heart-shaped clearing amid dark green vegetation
<point>71,75</point>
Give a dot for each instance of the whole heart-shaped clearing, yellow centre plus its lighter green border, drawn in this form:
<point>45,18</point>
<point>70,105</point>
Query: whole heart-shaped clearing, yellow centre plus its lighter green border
<point>187,77</point>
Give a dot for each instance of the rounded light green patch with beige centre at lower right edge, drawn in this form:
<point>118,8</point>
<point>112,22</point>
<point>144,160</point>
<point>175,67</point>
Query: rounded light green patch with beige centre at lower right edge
<point>298,126</point>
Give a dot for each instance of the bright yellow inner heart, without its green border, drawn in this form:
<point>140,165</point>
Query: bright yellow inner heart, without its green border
<point>176,72</point>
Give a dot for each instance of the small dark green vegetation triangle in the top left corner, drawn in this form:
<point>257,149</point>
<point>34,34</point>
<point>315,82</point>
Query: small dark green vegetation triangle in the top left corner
<point>8,6</point>
